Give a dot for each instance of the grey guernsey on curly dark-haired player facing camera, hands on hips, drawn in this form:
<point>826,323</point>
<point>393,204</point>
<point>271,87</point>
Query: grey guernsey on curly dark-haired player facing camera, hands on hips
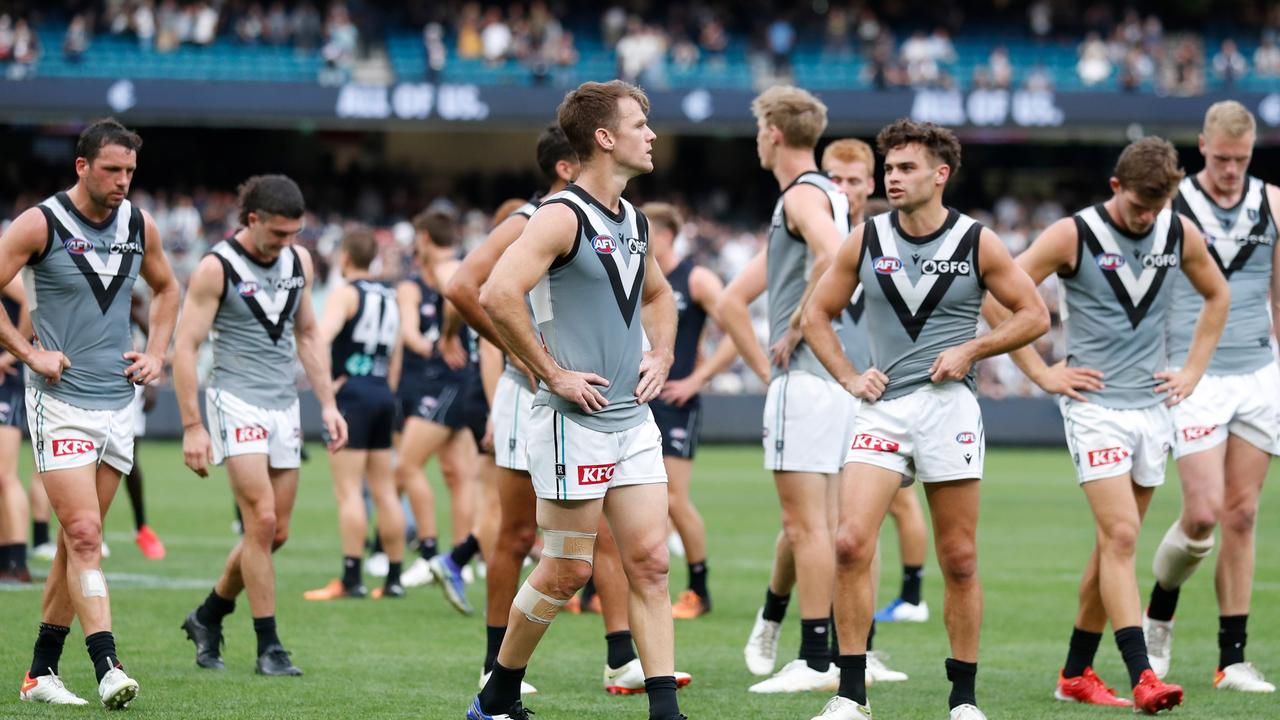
<point>924,295</point>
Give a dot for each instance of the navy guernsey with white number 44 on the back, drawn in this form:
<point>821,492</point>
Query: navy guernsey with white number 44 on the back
<point>363,350</point>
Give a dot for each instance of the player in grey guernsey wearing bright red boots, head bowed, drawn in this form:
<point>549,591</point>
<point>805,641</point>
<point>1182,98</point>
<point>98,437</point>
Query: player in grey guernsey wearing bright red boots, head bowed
<point>1118,262</point>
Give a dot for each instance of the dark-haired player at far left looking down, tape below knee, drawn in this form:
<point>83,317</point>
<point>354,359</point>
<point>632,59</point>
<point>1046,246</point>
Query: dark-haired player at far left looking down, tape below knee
<point>84,249</point>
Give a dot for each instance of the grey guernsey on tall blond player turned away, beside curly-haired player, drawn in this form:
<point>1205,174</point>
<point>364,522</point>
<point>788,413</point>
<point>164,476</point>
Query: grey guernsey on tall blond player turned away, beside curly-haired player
<point>789,267</point>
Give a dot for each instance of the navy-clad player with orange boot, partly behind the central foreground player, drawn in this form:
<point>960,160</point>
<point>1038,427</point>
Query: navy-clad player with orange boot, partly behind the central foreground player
<point>678,409</point>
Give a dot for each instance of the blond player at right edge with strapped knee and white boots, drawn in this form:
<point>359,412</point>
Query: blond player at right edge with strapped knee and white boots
<point>1228,430</point>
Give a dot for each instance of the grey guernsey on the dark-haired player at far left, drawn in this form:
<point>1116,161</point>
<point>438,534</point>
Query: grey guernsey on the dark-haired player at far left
<point>79,293</point>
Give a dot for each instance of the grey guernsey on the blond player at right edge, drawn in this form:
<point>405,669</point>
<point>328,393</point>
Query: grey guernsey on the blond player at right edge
<point>1241,240</point>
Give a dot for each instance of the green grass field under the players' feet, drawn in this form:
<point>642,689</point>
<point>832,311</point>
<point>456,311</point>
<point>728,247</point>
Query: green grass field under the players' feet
<point>419,659</point>
